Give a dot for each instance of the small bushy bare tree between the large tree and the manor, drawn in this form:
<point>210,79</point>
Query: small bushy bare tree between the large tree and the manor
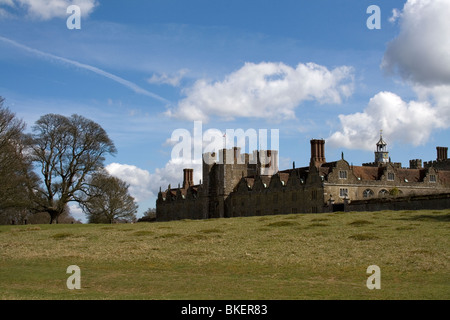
<point>108,200</point>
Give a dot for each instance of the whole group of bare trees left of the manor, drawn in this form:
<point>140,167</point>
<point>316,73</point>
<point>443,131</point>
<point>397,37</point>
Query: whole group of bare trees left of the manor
<point>60,162</point>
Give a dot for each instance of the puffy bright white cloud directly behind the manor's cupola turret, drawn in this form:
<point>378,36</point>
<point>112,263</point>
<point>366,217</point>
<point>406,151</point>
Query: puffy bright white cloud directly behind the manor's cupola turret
<point>407,122</point>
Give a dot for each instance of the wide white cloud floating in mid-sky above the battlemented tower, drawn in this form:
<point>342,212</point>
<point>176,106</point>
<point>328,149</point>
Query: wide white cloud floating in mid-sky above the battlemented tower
<point>264,90</point>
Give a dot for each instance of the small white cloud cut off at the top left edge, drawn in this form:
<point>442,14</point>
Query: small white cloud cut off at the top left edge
<point>48,9</point>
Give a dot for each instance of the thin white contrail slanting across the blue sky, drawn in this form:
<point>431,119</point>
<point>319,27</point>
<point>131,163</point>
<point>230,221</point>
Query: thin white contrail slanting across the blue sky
<point>96,70</point>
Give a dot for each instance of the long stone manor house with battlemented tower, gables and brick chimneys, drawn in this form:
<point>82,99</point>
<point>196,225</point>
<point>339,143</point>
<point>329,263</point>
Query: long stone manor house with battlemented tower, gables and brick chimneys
<point>236,185</point>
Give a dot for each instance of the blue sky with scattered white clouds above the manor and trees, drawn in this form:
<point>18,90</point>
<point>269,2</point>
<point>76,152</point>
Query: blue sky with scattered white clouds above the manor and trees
<point>309,69</point>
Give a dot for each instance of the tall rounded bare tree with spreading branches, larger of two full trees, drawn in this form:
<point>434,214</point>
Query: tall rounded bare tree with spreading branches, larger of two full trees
<point>67,150</point>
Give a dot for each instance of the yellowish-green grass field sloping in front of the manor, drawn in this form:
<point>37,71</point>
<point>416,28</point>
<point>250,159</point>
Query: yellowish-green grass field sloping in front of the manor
<point>309,256</point>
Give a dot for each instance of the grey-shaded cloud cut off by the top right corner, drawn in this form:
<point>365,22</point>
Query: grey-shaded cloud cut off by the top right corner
<point>420,53</point>
